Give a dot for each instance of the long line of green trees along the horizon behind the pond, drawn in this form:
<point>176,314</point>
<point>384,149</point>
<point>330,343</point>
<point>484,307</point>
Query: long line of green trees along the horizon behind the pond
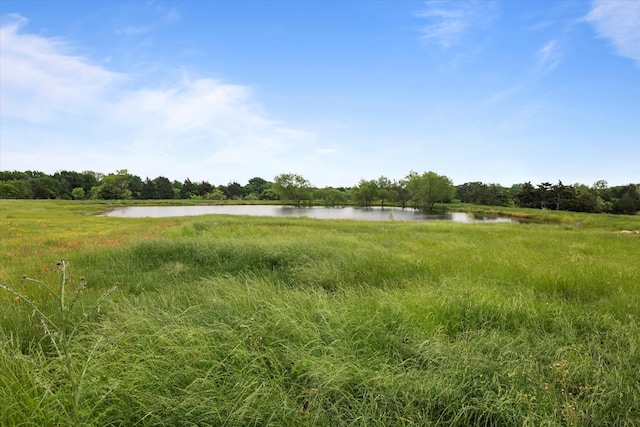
<point>420,191</point>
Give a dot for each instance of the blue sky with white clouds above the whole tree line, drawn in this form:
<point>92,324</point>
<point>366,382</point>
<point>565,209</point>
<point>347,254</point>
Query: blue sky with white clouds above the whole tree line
<point>493,91</point>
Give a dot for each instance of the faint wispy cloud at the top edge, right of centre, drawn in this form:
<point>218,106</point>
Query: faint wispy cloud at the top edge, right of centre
<point>448,22</point>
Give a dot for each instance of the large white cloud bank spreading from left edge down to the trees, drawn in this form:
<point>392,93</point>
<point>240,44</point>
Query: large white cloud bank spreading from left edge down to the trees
<point>61,111</point>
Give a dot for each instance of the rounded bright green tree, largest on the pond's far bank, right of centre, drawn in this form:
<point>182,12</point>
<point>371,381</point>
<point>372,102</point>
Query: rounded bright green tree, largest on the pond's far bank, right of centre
<point>429,188</point>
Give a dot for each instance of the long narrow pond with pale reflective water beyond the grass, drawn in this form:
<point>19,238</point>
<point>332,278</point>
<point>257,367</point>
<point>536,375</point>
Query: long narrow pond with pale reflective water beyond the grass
<point>317,212</point>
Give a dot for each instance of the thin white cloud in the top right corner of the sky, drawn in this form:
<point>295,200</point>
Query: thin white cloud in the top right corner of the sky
<point>618,21</point>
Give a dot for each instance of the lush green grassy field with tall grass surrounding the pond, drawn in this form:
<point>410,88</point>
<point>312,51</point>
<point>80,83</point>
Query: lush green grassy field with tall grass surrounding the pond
<point>245,321</point>
